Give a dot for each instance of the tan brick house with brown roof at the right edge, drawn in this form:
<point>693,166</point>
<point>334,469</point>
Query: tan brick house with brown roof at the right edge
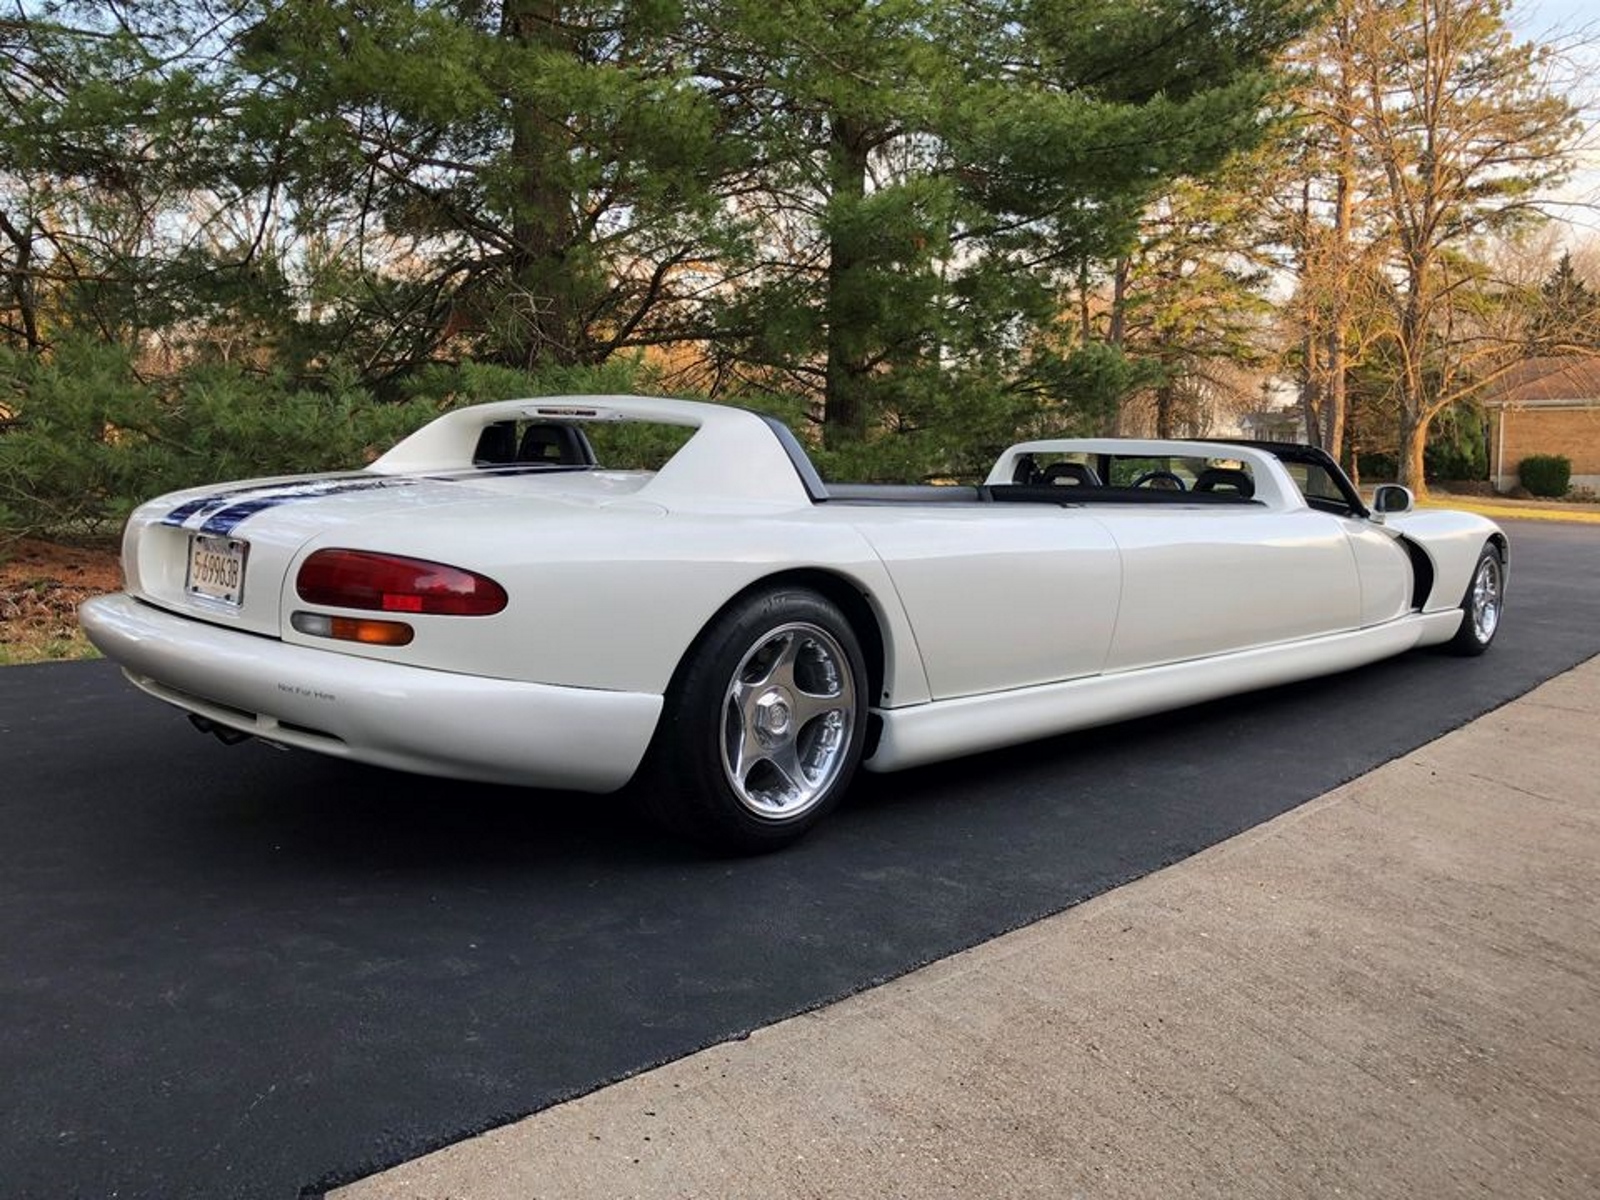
<point>1546,407</point>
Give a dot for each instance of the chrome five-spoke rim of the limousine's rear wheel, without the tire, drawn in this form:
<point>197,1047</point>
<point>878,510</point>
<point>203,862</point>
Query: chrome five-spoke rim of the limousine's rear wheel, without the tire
<point>790,716</point>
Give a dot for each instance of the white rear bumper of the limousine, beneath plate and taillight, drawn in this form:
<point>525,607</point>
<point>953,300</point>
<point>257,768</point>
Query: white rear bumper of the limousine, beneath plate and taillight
<point>433,722</point>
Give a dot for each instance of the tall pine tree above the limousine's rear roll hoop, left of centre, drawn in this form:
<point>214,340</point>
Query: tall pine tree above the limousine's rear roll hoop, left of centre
<point>530,180</point>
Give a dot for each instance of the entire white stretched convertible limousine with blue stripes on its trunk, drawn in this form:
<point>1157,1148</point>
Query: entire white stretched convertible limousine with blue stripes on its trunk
<point>730,634</point>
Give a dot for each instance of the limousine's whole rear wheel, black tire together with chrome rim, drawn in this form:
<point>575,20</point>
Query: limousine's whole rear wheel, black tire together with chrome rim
<point>764,726</point>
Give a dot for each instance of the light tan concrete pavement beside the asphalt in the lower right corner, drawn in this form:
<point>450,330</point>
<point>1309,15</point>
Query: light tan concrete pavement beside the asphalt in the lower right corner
<point>1393,991</point>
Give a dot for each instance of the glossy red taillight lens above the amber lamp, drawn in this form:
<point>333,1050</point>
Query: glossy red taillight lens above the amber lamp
<point>388,583</point>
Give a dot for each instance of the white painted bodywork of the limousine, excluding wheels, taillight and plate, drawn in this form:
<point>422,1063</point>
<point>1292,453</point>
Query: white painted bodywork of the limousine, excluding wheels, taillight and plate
<point>996,623</point>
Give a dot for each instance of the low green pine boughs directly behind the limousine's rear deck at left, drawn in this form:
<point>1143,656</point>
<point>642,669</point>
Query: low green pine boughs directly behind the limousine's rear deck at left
<point>87,438</point>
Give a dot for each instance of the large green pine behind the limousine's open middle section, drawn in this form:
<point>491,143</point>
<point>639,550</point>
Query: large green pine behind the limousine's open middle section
<point>935,178</point>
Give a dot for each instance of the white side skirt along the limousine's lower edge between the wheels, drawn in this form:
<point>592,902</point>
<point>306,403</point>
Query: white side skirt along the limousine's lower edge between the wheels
<point>927,734</point>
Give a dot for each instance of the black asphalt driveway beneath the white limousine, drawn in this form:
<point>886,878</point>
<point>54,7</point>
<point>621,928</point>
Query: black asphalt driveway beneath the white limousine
<point>238,972</point>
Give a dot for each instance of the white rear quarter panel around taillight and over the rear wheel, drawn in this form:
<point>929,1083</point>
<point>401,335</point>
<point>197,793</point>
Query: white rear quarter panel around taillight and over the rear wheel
<point>614,598</point>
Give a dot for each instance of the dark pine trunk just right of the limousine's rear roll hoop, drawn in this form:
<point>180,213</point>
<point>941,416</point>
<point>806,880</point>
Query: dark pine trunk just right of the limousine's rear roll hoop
<point>849,313</point>
